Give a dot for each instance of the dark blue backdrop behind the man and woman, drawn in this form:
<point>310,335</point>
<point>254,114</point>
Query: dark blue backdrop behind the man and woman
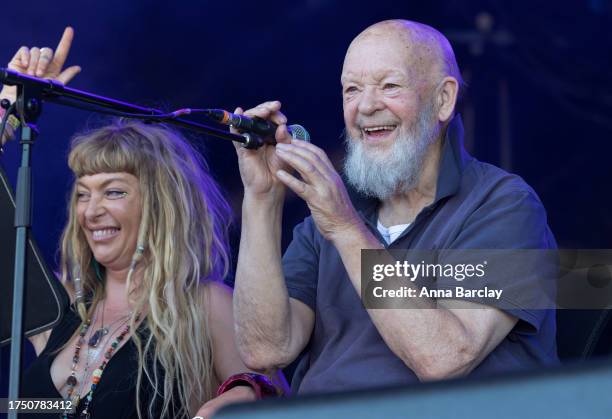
<point>539,79</point>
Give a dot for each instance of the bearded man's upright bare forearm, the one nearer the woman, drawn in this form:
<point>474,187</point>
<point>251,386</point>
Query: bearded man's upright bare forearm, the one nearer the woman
<point>261,302</point>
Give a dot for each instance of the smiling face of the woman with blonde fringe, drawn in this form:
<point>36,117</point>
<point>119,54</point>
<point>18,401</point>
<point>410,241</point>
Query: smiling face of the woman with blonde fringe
<point>109,210</point>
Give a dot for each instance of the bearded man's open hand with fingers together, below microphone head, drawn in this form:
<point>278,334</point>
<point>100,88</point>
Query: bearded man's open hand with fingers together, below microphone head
<point>321,187</point>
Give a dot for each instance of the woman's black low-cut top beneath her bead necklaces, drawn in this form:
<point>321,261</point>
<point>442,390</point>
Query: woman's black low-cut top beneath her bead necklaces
<point>115,395</point>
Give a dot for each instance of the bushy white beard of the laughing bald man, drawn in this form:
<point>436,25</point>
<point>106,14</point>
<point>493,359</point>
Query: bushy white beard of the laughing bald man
<point>394,171</point>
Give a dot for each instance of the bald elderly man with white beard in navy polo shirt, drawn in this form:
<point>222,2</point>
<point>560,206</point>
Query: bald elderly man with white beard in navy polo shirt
<point>416,188</point>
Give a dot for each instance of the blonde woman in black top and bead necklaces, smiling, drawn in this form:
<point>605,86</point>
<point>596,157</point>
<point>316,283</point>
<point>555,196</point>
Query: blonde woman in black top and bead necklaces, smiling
<point>150,332</point>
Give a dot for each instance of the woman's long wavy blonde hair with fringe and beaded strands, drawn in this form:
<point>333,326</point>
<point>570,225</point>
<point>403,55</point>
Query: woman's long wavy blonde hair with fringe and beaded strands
<point>182,243</point>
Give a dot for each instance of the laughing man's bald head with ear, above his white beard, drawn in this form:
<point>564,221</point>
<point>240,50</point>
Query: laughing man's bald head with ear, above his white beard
<point>399,85</point>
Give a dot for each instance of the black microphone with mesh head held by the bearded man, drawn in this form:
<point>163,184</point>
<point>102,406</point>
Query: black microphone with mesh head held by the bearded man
<point>261,127</point>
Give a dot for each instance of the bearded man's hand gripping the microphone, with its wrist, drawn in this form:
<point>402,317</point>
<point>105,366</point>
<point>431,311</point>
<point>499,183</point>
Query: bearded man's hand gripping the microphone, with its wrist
<point>258,167</point>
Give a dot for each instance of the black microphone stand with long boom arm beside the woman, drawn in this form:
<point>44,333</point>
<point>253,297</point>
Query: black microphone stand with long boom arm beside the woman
<point>31,93</point>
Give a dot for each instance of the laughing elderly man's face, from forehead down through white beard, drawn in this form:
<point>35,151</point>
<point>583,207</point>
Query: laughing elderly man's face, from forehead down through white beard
<point>390,118</point>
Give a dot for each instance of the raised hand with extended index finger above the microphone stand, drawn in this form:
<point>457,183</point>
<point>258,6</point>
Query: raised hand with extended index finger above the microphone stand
<point>43,63</point>
